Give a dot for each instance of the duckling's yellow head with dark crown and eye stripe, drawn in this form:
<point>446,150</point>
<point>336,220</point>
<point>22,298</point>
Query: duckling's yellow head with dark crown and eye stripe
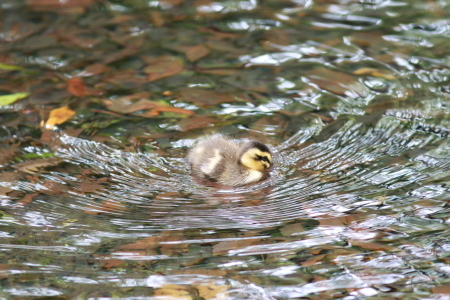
<point>256,156</point>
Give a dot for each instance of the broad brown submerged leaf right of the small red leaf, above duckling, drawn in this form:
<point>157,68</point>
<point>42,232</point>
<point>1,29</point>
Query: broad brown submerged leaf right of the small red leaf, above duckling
<point>163,66</point>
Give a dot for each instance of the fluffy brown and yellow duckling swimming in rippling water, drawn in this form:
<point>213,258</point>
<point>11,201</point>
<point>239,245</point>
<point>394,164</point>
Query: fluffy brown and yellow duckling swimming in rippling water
<point>219,159</point>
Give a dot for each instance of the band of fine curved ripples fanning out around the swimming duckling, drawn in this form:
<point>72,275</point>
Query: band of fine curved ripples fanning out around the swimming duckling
<point>320,173</point>
